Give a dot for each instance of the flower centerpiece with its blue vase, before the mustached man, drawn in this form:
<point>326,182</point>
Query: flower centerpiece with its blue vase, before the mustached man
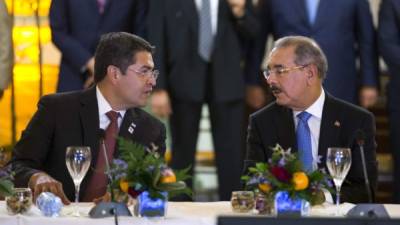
<point>282,185</point>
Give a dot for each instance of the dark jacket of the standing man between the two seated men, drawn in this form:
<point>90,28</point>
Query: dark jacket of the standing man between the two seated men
<point>175,36</point>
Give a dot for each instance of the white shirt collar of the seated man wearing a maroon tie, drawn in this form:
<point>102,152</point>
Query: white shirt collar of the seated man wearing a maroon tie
<point>105,107</point>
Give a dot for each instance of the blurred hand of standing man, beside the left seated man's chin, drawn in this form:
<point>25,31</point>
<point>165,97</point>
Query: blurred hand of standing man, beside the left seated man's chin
<point>160,104</point>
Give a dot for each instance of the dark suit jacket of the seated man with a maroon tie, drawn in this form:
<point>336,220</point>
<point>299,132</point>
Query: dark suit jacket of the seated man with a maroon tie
<point>72,119</point>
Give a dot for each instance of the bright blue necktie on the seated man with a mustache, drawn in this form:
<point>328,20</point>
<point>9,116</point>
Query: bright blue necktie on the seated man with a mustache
<point>304,141</point>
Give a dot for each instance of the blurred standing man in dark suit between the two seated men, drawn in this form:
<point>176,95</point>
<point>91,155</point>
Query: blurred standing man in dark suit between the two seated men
<point>200,58</point>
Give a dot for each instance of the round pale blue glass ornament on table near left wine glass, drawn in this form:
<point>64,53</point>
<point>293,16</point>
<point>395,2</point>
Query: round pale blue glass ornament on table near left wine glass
<point>49,204</point>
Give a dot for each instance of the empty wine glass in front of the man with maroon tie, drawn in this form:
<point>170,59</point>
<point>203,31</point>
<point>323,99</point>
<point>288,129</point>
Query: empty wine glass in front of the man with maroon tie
<point>78,160</point>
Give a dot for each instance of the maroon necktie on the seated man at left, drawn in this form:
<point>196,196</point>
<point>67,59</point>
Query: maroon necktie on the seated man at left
<point>98,182</point>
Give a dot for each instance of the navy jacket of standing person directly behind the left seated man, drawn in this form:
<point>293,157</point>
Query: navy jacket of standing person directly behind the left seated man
<point>76,28</point>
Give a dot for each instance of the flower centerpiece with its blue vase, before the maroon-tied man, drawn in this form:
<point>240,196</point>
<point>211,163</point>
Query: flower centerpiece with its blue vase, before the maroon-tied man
<point>143,174</point>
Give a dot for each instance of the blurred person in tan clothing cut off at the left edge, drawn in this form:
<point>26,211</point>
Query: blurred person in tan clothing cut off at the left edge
<point>6,48</point>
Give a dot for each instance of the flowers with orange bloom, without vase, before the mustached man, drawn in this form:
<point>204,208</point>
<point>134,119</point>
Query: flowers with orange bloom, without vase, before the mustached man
<point>284,172</point>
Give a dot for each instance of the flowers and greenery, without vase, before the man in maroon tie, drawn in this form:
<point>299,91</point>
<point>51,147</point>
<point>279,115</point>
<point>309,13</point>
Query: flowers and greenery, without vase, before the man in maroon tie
<point>140,169</point>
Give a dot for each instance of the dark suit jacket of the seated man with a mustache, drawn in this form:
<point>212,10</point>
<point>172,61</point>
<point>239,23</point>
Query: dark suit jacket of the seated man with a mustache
<point>340,121</point>
